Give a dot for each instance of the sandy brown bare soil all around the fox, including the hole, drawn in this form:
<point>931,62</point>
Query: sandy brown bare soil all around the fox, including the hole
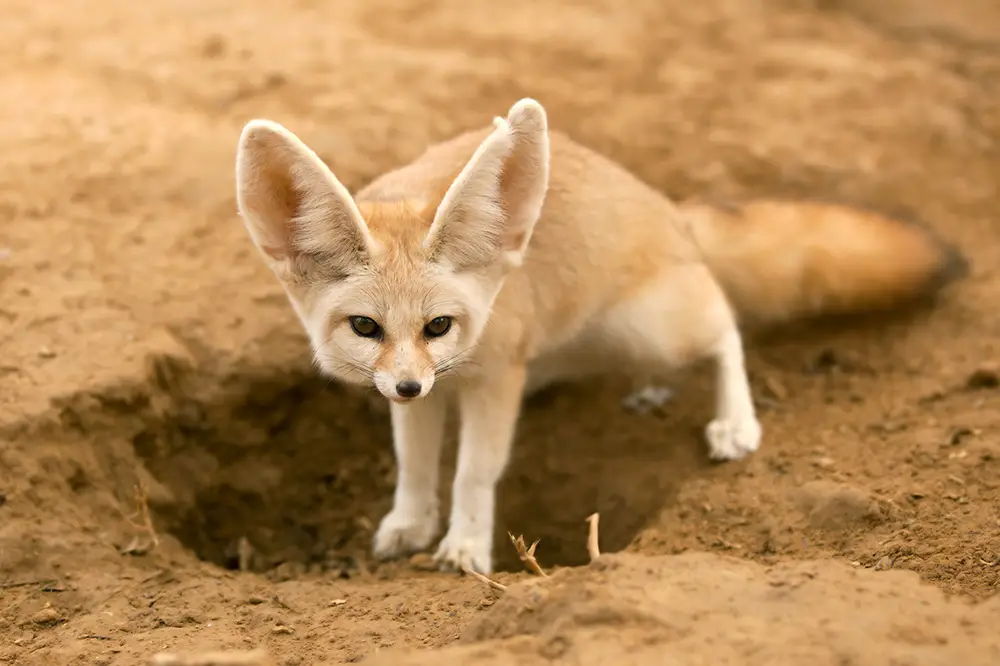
<point>143,343</point>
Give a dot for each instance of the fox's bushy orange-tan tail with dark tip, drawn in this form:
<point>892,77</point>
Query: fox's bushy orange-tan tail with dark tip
<point>783,260</point>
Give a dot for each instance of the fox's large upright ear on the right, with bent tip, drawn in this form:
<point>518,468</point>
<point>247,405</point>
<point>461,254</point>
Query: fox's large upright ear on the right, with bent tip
<point>489,211</point>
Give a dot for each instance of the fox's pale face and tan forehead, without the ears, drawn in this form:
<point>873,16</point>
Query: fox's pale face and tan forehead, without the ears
<point>399,321</point>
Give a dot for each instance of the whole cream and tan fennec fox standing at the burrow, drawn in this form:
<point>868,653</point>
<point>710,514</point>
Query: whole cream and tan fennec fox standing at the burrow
<point>511,257</point>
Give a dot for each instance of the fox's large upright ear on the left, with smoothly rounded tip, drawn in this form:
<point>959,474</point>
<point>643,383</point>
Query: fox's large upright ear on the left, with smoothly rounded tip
<point>292,204</point>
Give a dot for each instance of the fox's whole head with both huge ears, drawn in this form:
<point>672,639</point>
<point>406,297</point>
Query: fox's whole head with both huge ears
<point>393,296</point>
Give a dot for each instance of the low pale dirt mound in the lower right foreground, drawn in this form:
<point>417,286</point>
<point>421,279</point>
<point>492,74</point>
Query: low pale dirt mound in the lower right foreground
<point>700,607</point>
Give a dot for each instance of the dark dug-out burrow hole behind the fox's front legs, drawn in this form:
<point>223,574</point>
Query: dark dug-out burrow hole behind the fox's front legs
<point>280,470</point>
